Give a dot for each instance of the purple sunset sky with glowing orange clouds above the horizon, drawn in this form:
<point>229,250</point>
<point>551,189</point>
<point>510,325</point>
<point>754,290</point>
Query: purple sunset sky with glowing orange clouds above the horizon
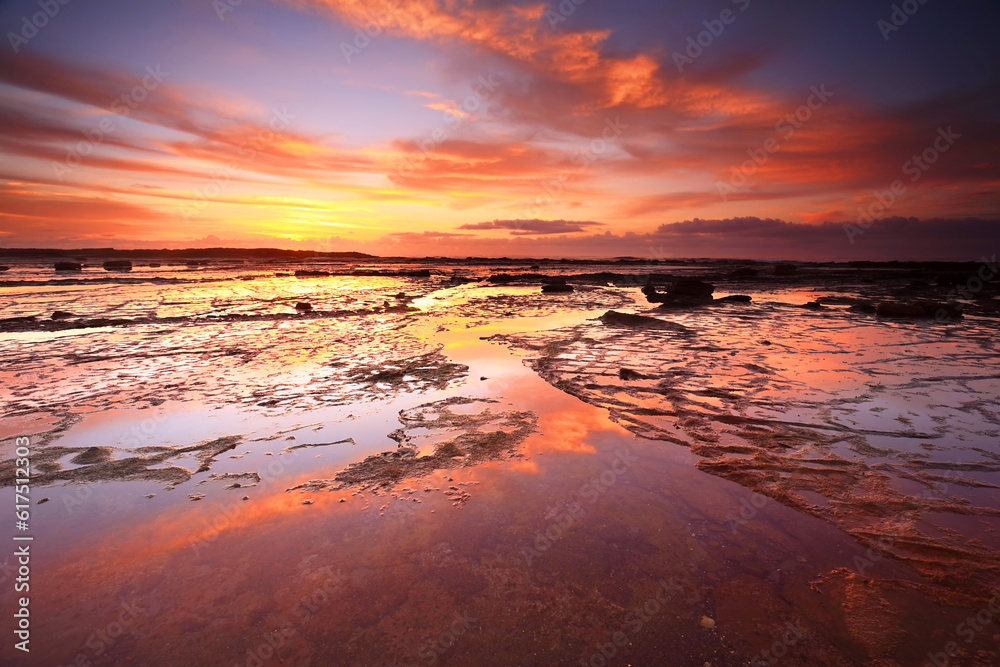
<point>844,130</point>
